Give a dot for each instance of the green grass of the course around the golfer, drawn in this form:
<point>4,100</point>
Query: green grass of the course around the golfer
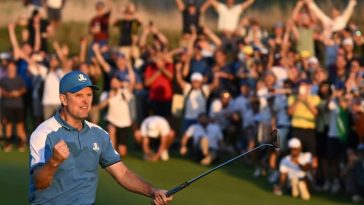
<point>230,185</point>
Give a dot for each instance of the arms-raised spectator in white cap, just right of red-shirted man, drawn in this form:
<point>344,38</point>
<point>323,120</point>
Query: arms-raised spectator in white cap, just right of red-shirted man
<point>195,94</point>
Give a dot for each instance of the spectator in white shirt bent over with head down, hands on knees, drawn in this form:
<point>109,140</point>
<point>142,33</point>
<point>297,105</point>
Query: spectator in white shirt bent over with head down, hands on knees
<point>155,134</point>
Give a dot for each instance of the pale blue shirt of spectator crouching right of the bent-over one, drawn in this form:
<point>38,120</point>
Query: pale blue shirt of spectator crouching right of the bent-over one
<point>212,132</point>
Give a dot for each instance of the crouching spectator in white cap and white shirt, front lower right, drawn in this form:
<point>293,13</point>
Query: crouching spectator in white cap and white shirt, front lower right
<point>293,167</point>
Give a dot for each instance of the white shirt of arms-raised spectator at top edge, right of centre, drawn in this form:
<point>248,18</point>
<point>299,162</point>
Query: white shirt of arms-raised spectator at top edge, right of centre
<point>228,17</point>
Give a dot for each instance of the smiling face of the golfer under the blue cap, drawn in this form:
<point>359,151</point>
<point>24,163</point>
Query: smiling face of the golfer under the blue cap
<point>78,104</point>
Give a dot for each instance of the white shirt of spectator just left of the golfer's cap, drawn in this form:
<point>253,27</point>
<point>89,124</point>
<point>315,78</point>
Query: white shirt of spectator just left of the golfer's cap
<point>51,87</point>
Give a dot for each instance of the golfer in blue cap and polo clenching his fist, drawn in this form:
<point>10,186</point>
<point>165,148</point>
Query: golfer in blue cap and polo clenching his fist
<point>65,152</point>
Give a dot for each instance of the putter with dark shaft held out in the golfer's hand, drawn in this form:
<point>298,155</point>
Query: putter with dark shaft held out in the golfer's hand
<point>275,144</point>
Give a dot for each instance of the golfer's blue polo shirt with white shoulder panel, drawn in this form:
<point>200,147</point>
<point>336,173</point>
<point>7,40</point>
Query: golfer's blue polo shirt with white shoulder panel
<point>75,181</point>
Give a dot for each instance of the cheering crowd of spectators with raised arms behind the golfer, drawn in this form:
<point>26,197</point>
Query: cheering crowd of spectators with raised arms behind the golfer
<point>228,88</point>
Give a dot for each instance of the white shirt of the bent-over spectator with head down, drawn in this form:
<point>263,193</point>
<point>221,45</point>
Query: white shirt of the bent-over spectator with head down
<point>160,123</point>
